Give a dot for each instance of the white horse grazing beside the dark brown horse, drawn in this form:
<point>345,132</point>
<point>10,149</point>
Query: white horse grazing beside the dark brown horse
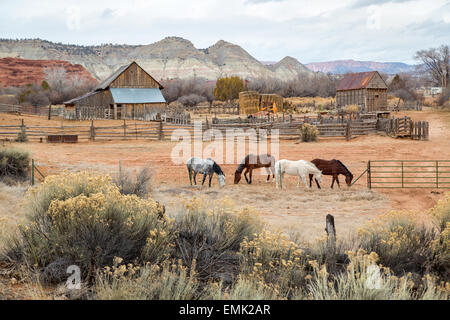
<point>300,168</point>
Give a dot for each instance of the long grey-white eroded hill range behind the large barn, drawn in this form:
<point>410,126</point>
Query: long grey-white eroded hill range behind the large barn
<point>169,58</point>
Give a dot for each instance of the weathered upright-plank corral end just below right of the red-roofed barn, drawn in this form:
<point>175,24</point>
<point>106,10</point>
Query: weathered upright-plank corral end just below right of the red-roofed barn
<point>404,127</point>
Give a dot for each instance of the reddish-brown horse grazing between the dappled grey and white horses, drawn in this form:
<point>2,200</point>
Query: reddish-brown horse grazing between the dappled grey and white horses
<point>251,162</point>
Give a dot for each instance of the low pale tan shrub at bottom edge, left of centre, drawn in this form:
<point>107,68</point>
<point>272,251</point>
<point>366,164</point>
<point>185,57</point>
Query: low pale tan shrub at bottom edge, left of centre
<point>151,282</point>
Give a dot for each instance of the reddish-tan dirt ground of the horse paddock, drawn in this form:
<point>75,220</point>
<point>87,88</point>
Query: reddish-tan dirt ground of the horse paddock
<point>289,210</point>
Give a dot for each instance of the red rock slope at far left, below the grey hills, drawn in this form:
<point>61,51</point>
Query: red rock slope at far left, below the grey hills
<point>15,72</point>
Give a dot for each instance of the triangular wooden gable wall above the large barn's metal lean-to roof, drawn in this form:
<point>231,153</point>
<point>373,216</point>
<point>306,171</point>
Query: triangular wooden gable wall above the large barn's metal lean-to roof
<point>134,77</point>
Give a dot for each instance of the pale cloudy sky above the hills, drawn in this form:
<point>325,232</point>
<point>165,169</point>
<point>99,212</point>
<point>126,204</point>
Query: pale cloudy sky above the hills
<point>309,30</point>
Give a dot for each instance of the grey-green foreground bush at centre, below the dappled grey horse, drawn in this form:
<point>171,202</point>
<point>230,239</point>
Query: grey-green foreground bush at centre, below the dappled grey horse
<point>212,237</point>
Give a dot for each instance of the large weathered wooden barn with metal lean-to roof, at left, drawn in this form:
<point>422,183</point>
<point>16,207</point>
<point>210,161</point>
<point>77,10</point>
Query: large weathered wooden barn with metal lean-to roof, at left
<point>129,93</point>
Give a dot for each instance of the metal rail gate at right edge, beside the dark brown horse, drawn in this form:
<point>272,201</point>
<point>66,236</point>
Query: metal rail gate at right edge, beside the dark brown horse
<point>408,174</point>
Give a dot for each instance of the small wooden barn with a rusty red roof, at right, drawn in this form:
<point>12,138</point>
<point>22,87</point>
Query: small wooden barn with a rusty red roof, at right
<point>366,89</point>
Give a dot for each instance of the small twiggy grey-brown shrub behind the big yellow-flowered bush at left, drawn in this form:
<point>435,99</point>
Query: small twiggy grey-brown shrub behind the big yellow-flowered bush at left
<point>129,184</point>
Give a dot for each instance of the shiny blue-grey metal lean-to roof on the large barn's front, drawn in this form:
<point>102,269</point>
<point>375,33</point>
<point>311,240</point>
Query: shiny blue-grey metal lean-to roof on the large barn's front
<point>137,95</point>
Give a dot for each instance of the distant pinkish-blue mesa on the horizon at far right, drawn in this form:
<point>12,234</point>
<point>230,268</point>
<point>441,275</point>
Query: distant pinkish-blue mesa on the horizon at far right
<point>344,66</point>
